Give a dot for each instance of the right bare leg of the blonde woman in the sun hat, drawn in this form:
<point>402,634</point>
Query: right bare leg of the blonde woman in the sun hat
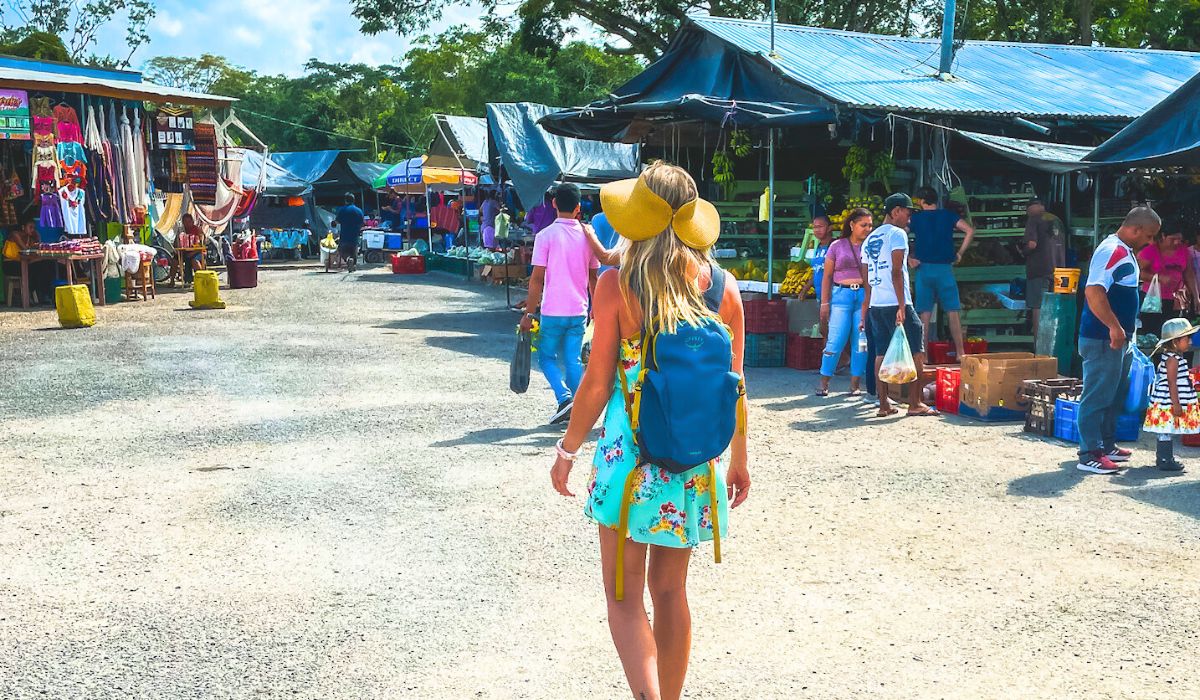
<point>673,619</point>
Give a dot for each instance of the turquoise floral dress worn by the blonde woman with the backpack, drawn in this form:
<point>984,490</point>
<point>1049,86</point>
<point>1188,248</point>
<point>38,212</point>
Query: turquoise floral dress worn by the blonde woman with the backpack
<point>667,510</point>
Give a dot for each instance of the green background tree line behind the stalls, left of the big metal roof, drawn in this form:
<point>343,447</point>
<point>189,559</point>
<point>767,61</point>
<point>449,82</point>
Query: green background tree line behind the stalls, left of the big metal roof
<point>353,105</point>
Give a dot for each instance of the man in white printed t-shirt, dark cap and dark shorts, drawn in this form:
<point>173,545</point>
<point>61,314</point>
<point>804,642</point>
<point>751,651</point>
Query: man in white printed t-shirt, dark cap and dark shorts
<point>889,302</point>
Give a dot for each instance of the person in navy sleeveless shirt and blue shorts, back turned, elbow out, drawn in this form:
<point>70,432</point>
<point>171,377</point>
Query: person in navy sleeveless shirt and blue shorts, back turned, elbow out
<point>934,259</point>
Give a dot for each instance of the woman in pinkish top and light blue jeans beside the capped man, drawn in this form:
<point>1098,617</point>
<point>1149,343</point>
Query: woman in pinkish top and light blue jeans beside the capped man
<point>842,302</point>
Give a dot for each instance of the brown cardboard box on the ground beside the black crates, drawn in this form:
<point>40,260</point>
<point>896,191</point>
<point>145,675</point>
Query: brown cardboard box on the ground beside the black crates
<point>992,384</point>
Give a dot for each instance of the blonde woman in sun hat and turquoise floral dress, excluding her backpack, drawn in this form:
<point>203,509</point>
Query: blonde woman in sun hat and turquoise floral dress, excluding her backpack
<point>665,271</point>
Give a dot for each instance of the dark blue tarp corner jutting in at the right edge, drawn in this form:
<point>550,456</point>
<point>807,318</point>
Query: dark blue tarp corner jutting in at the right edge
<point>1168,135</point>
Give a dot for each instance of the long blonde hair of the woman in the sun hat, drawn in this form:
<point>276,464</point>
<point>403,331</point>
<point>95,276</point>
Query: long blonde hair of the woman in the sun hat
<point>657,271</point>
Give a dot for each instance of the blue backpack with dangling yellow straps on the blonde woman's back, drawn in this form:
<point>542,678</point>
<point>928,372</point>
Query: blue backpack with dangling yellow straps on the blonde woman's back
<point>685,408</point>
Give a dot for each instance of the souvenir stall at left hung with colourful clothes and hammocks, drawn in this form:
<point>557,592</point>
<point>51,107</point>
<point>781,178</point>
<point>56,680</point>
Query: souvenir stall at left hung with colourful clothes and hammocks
<point>92,165</point>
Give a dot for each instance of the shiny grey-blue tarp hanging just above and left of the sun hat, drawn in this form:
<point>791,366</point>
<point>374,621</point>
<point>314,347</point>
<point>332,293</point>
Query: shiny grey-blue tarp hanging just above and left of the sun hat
<point>536,159</point>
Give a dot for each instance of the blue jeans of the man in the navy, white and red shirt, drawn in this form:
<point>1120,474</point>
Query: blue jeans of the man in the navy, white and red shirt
<point>1106,385</point>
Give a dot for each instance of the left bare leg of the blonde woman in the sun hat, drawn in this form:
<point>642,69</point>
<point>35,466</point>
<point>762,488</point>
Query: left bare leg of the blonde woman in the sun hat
<point>627,619</point>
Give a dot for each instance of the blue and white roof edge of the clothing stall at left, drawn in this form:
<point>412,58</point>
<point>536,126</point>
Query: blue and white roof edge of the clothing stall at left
<point>50,77</point>
